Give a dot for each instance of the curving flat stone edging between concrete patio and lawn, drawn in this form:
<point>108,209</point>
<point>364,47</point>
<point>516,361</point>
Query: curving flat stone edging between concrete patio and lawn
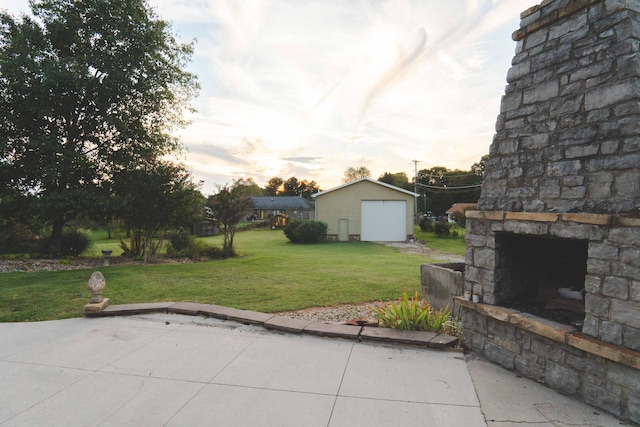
<point>430,340</point>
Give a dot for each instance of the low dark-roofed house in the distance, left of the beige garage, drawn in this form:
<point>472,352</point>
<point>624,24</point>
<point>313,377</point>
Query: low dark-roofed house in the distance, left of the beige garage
<point>295,207</point>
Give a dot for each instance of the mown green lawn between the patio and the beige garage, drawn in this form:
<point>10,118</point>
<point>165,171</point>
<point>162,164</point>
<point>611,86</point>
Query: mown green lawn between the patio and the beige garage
<point>271,275</point>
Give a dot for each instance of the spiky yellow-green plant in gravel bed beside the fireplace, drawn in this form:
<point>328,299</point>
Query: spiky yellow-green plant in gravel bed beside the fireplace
<point>413,314</point>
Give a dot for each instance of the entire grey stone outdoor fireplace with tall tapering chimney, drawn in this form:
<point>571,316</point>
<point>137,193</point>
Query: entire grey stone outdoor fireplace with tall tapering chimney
<point>554,247</point>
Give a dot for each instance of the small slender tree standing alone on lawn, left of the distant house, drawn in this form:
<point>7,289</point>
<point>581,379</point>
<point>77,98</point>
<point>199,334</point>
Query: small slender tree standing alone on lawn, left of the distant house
<point>227,208</point>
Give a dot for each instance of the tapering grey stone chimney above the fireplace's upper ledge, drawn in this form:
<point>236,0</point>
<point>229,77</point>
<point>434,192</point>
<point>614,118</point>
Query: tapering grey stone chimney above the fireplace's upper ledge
<point>568,133</point>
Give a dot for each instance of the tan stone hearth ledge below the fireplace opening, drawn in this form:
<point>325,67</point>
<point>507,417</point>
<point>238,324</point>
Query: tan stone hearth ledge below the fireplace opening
<point>566,334</point>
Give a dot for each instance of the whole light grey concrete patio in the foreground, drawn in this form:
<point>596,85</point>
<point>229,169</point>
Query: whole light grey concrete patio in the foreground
<point>170,369</point>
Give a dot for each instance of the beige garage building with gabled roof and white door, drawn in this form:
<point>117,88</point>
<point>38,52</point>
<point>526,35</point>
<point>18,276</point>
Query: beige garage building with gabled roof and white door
<point>367,210</point>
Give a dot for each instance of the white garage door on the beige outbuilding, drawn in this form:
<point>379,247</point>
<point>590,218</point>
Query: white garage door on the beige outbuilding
<point>384,221</point>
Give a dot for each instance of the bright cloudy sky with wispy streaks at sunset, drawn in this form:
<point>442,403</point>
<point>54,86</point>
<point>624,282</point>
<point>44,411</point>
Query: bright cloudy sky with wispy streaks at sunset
<point>309,88</point>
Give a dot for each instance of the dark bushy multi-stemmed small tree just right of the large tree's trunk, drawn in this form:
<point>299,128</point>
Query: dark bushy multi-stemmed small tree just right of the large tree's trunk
<point>153,198</point>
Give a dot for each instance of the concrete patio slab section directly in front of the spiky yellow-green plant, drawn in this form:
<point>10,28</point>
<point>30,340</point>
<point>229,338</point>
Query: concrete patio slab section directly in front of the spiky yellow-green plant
<point>379,371</point>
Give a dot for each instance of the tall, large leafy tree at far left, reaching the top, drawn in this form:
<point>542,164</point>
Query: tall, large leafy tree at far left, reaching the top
<point>87,89</point>
